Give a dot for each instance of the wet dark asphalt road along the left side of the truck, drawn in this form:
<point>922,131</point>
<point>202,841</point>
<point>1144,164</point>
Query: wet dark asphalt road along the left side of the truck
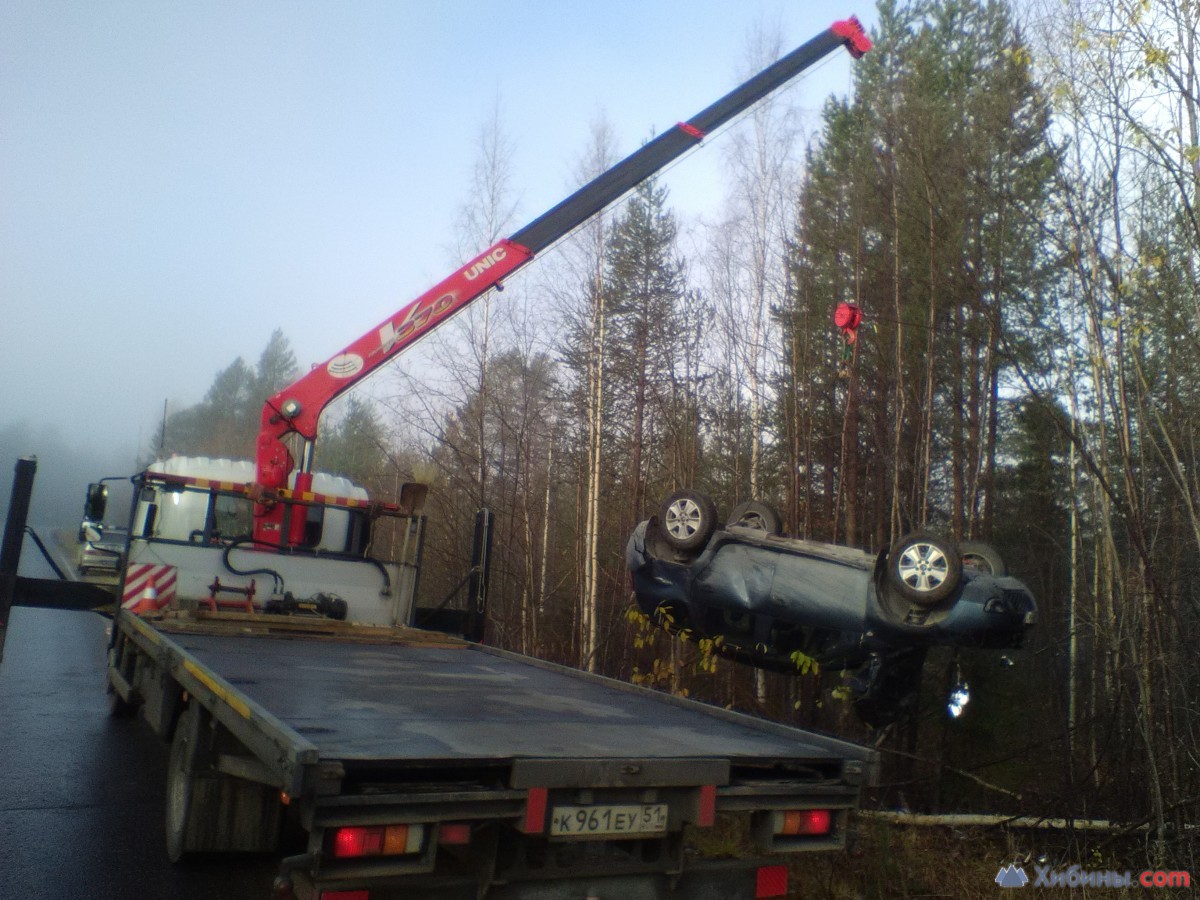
<point>81,794</point>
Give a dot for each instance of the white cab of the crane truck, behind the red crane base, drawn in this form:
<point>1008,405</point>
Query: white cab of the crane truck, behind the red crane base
<point>191,547</point>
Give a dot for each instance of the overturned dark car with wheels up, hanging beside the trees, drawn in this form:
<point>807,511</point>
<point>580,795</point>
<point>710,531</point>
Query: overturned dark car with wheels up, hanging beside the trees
<point>775,601</point>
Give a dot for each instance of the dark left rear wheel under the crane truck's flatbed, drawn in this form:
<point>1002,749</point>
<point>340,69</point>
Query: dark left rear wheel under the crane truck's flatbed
<point>209,812</point>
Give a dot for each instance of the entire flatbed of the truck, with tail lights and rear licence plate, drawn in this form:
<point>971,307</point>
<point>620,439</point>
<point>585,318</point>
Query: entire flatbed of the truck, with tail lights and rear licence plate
<point>507,776</point>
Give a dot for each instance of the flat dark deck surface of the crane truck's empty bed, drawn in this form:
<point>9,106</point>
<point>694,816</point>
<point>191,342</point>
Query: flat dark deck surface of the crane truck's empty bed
<point>475,705</point>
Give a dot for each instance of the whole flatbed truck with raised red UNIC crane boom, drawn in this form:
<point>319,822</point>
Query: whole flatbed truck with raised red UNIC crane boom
<point>262,633</point>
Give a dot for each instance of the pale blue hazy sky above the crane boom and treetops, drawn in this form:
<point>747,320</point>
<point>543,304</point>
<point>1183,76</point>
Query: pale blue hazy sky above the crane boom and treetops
<point>179,179</point>
